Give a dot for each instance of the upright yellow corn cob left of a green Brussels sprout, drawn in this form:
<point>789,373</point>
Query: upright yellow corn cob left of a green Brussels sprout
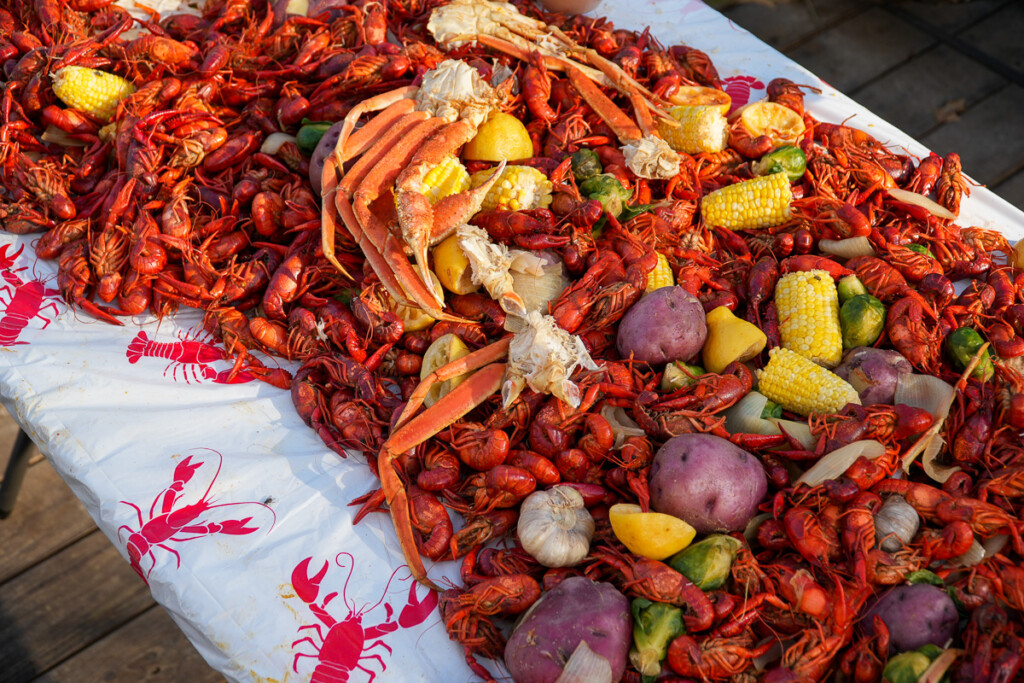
<point>808,317</point>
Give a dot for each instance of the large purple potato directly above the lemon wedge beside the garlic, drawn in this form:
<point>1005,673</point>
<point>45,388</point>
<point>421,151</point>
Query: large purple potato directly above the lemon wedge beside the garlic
<point>707,482</point>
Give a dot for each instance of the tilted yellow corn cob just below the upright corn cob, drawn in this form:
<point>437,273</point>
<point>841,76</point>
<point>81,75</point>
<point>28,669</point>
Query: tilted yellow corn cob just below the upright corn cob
<point>802,387</point>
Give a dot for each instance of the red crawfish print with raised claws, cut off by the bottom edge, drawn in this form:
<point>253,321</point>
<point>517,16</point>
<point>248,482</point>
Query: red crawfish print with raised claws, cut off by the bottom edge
<point>348,642</point>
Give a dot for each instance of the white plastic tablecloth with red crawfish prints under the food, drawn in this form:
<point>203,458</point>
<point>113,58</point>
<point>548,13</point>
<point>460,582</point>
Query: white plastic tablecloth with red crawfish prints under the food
<point>223,493</point>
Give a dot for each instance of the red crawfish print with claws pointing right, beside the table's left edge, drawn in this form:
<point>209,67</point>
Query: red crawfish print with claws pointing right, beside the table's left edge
<point>174,520</point>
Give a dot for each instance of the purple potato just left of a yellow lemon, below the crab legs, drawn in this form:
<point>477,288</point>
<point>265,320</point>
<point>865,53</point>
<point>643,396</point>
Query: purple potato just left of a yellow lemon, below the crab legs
<point>666,325</point>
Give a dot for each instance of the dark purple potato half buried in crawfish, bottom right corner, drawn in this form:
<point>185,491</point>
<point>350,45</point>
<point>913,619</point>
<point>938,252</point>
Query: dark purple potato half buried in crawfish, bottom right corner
<point>916,616</point>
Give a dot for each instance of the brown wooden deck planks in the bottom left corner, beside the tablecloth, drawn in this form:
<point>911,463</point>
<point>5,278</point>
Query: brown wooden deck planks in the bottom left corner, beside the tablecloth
<point>71,609</point>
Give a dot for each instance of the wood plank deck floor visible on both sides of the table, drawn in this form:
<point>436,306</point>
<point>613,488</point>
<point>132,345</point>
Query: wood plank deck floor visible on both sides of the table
<point>71,609</point>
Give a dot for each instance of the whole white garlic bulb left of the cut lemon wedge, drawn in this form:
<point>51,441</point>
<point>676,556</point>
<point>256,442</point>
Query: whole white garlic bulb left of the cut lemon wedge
<point>554,527</point>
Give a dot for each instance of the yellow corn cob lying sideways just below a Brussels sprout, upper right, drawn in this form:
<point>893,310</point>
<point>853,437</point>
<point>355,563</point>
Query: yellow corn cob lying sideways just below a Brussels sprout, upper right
<point>762,202</point>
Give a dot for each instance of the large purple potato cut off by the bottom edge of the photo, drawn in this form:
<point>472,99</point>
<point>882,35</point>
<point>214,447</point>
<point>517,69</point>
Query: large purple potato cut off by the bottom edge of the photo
<point>575,611</point>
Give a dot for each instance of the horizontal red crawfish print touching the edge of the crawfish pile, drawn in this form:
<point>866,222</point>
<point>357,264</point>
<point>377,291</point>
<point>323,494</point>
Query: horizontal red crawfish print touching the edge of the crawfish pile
<point>191,357</point>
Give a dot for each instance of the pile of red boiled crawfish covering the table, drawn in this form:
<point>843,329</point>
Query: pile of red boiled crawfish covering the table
<point>174,203</point>
